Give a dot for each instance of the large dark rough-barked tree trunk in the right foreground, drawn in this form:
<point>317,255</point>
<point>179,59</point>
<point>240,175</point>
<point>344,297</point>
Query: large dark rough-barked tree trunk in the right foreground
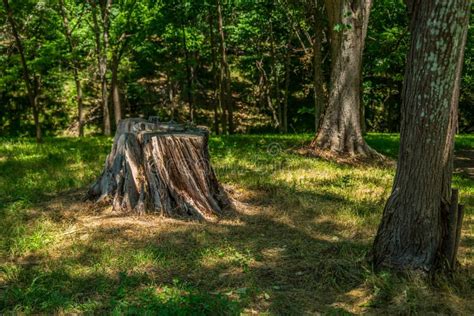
<point>421,221</point>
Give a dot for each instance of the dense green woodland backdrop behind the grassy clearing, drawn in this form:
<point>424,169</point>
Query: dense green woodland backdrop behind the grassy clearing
<point>164,58</point>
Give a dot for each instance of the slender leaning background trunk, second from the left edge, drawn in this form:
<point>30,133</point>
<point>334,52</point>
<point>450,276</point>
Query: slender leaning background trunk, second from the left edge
<point>71,47</point>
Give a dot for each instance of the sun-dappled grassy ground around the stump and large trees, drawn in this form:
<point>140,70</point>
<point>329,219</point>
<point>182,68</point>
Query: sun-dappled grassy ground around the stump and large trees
<point>297,243</point>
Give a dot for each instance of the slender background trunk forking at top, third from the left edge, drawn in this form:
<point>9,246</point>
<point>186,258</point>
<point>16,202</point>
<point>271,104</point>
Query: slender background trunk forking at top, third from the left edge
<point>101,52</point>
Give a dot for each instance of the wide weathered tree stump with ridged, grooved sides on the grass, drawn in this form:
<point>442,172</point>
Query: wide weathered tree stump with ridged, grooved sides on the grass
<point>161,168</point>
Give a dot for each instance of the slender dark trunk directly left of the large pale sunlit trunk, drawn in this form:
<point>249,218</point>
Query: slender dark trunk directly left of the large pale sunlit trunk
<point>319,81</point>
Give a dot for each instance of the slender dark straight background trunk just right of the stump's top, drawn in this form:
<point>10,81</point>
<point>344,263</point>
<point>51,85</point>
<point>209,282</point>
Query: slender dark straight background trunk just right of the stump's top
<point>224,82</point>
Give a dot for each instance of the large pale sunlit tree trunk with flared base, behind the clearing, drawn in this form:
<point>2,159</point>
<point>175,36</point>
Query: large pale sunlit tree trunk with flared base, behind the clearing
<point>341,130</point>
